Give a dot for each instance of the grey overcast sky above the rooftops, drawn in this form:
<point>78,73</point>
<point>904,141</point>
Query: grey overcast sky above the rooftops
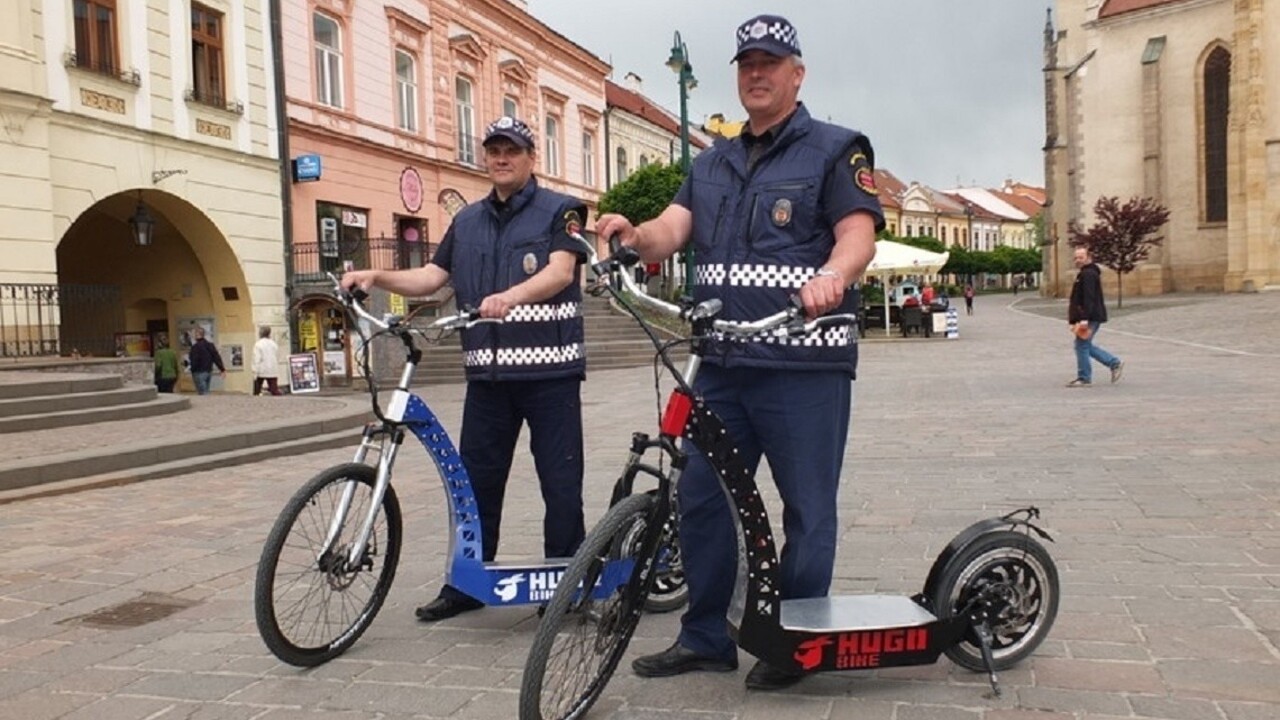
<point>949,92</point>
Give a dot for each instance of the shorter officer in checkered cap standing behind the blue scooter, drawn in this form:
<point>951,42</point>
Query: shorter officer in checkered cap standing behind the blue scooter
<point>510,257</point>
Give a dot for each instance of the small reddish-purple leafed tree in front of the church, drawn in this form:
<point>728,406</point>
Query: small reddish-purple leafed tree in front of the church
<point>1123,236</point>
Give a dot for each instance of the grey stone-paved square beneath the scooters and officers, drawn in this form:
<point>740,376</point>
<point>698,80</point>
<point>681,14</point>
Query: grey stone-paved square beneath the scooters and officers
<point>1162,493</point>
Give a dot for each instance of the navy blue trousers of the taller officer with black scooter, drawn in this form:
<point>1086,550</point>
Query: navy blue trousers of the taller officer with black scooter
<point>799,421</point>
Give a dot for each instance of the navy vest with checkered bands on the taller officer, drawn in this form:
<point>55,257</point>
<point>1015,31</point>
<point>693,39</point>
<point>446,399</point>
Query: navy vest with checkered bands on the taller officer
<point>761,235</point>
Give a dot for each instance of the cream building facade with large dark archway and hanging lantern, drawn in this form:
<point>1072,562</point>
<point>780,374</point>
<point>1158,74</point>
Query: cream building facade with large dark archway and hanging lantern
<point>140,179</point>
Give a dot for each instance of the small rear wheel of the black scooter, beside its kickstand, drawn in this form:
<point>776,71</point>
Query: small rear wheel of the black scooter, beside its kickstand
<point>1012,580</point>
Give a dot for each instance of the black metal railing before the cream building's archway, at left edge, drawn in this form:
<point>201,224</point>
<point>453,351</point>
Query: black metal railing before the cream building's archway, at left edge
<point>60,320</point>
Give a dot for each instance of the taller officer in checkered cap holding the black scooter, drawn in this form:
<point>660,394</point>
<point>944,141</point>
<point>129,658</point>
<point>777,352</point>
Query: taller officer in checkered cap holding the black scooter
<point>788,208</point>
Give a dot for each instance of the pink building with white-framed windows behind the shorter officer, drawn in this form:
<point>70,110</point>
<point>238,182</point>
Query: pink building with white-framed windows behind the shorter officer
<point>387,101</point>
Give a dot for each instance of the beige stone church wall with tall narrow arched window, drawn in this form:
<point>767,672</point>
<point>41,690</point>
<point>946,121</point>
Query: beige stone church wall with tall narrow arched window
<point>1177,101</point>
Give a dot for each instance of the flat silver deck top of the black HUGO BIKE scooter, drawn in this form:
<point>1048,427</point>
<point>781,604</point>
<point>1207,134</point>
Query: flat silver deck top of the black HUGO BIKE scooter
<point>853,613</point>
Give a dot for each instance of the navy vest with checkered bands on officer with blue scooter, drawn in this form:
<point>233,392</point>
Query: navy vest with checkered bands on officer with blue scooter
<point>495,250</point>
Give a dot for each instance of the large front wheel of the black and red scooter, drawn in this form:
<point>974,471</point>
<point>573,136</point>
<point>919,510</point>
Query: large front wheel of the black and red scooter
<point>580,640</point>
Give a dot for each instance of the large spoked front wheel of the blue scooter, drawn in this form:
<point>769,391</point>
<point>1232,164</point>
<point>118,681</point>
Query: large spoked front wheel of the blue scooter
<point>313,604</point>
